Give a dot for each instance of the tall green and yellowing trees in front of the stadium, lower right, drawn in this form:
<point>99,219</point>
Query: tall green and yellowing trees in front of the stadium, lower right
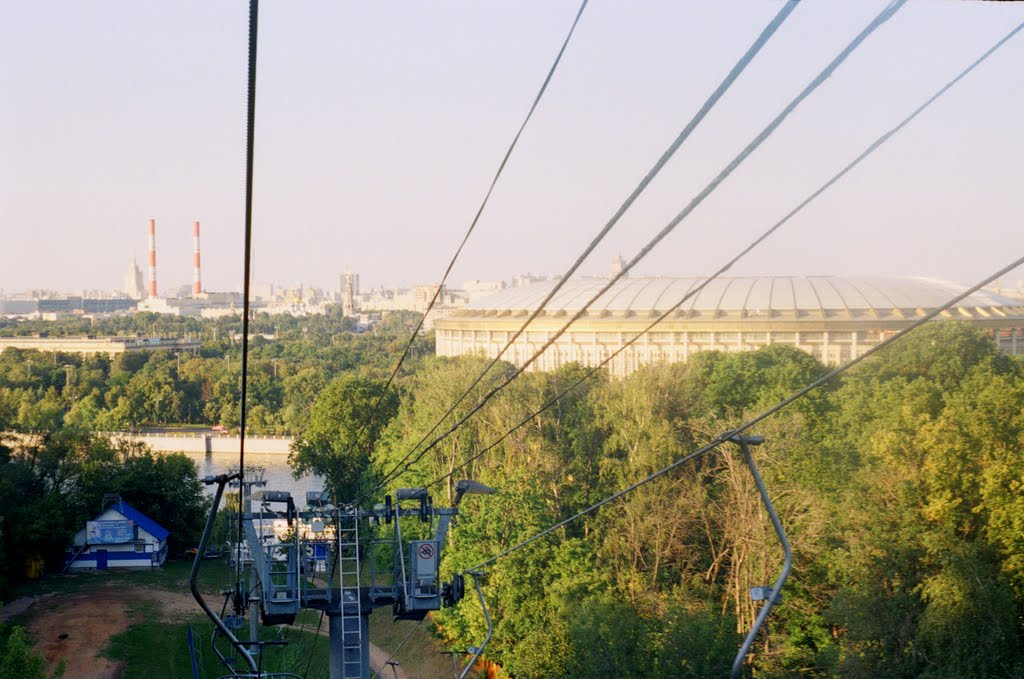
<point>900,487</point>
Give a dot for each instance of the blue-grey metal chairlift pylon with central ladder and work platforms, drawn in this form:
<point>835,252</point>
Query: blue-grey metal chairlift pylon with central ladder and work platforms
<point>315,559</point>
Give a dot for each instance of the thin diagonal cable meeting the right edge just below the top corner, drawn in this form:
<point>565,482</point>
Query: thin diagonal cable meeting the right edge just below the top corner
<point>868,152</point>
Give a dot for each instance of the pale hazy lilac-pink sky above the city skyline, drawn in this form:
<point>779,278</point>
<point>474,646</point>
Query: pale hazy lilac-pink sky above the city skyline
<point>380,124</point>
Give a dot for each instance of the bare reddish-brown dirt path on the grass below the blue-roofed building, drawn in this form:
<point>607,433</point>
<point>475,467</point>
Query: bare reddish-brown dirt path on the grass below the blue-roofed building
<point>77,627</point>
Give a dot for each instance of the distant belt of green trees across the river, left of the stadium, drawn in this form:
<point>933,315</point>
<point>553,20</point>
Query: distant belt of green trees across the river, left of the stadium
<point>42,391</point>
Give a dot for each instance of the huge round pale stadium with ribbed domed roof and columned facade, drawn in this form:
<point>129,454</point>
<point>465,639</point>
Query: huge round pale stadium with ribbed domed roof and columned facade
<point>835,319</point>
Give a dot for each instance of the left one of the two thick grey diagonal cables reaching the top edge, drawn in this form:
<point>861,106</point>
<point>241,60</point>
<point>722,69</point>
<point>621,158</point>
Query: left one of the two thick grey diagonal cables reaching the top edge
<point>740,67</point>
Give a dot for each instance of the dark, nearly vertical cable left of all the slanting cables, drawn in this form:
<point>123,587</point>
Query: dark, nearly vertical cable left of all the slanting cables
<point>250,145</point>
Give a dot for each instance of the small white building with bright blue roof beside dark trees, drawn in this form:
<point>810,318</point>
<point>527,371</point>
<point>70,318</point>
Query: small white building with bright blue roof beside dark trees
<point>121,537</point>
